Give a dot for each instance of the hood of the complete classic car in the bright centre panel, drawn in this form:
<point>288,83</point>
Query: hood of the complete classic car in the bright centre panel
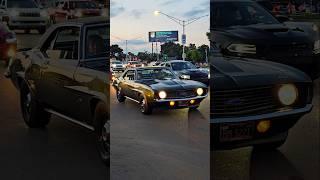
<point>172,84</point>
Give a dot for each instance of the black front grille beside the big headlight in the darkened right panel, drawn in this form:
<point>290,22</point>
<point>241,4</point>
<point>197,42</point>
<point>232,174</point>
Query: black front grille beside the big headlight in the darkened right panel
<point>241,102</point>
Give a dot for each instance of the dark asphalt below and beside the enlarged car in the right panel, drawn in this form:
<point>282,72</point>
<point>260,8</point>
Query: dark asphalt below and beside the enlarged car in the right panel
<point>297,159</point>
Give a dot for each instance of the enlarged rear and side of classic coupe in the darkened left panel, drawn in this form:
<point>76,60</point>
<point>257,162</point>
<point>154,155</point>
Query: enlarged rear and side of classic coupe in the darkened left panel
<point>66,74</point>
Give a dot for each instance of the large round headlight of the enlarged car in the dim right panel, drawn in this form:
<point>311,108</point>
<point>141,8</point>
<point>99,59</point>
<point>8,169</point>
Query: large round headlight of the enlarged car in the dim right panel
<point>288,94</point>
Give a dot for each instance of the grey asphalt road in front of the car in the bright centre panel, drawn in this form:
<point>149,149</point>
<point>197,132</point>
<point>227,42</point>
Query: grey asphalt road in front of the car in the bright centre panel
<point>165,145</point>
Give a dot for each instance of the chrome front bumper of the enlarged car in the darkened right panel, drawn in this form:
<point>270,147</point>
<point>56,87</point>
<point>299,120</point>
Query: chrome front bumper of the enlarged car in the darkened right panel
<point>306,109</point>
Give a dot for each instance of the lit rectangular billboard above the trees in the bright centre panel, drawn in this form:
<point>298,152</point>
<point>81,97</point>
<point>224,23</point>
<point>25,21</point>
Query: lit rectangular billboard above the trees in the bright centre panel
<point>163,36</point>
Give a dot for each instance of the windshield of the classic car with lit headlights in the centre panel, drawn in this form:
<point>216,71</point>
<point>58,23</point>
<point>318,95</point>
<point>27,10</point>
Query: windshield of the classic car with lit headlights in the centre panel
<point>160,74</point>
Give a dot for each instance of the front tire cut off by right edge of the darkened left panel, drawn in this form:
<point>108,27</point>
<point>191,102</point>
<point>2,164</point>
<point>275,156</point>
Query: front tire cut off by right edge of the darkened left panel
<point>102,132</point>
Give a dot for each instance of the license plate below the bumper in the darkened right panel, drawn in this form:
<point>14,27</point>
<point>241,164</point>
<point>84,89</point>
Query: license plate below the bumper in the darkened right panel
<point>235,132</point>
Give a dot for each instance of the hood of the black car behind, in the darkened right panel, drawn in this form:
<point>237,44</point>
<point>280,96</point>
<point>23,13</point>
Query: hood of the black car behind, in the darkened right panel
<point>279,33</point>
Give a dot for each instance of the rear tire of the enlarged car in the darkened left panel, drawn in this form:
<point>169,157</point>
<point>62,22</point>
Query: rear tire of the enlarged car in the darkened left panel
<point>33,113</point>
